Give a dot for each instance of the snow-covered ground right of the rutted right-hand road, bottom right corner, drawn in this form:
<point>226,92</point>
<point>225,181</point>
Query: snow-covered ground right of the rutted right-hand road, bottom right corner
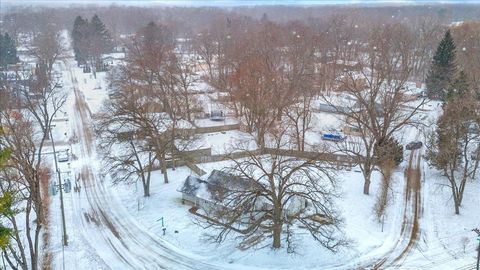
<point>452,243</point>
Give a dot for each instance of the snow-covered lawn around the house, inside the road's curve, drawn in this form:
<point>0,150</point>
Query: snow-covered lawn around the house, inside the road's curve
<point>165,202</point>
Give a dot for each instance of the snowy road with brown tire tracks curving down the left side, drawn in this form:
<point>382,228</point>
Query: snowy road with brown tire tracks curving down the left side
<point>99,212</point>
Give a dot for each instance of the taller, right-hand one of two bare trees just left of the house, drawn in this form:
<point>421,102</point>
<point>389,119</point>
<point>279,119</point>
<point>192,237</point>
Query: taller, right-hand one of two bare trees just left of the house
<point>146,80</point>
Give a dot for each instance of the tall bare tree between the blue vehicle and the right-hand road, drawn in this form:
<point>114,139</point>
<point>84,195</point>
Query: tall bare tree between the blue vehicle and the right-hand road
<point>374,100</point>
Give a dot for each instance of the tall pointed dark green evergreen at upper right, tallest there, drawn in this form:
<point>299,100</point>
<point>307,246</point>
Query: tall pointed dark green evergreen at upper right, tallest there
<point>443,69</point>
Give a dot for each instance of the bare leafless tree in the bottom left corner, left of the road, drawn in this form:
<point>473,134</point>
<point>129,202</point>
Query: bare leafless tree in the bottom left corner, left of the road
<point>22,177</point>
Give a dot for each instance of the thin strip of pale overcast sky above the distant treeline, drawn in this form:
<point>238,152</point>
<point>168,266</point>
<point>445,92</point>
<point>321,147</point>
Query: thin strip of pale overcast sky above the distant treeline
<point>232,2</point>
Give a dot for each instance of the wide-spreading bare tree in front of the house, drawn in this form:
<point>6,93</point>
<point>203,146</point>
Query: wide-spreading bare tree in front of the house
<point>271,194</point>
